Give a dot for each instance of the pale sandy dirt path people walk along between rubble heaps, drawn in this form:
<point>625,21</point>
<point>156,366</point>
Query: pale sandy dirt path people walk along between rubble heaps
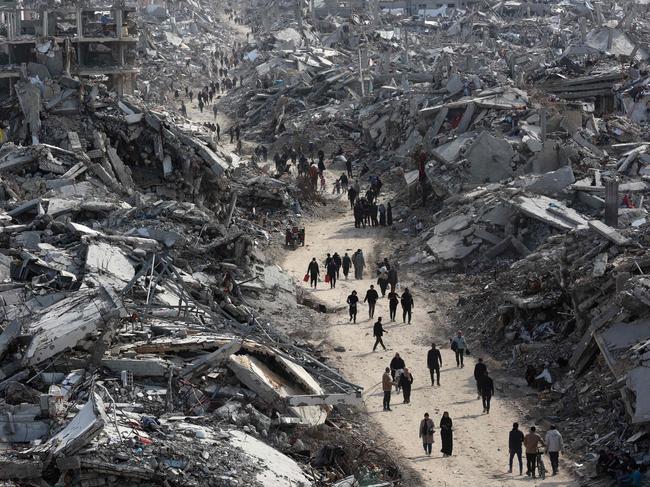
<point>480,441</point>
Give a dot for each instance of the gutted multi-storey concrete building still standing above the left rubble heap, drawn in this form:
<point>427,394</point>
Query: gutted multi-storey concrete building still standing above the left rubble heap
<point>78,39</point>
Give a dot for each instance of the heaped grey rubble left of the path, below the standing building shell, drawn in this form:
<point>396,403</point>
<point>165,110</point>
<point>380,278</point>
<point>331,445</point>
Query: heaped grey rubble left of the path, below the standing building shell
<point>135,348</point>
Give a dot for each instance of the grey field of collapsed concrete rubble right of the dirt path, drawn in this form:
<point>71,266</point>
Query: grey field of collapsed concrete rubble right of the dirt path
<point>530,125</point>
